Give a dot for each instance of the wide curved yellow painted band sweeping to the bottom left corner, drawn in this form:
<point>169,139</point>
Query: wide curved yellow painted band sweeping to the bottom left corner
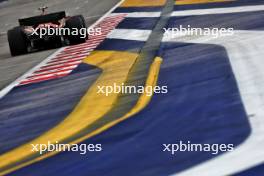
<point>93,106</point>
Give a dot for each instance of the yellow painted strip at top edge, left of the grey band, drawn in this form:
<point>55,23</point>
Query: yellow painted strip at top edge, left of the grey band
<point>143,3</point>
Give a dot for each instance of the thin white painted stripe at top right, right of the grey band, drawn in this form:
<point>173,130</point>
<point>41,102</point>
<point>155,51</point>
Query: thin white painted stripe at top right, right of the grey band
<point>218,10</point>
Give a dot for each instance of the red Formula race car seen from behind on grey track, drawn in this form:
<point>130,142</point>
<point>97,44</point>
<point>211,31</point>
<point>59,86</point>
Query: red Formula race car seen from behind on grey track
<point>29,35</point>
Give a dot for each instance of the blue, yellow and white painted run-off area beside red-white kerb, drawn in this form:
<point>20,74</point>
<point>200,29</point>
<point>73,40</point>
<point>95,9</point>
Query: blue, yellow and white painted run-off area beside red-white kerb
<point>215,96</point>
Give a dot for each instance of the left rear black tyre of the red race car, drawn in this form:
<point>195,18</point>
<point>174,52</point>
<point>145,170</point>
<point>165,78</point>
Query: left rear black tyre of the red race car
<point>17,41</point>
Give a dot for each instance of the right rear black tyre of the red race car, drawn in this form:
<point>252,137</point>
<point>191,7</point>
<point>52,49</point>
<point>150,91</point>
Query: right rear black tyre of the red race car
<point>73,23</point>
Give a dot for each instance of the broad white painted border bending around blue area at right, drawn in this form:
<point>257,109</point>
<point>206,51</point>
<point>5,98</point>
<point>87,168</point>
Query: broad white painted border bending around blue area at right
<point>245,50</point>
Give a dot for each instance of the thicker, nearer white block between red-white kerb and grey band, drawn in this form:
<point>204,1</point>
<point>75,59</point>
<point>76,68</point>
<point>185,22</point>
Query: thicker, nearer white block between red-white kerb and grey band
<point>130,34</point>
